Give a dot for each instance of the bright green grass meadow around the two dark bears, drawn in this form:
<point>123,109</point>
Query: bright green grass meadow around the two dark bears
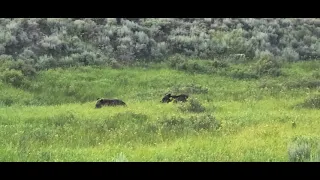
<point>243,120</point>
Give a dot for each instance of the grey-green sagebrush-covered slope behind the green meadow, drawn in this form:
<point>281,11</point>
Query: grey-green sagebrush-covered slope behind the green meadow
<point>42,43</point>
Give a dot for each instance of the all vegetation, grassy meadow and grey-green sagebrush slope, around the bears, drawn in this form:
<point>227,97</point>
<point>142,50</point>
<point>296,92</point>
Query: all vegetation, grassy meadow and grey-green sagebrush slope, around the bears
<point>253,87</point>
